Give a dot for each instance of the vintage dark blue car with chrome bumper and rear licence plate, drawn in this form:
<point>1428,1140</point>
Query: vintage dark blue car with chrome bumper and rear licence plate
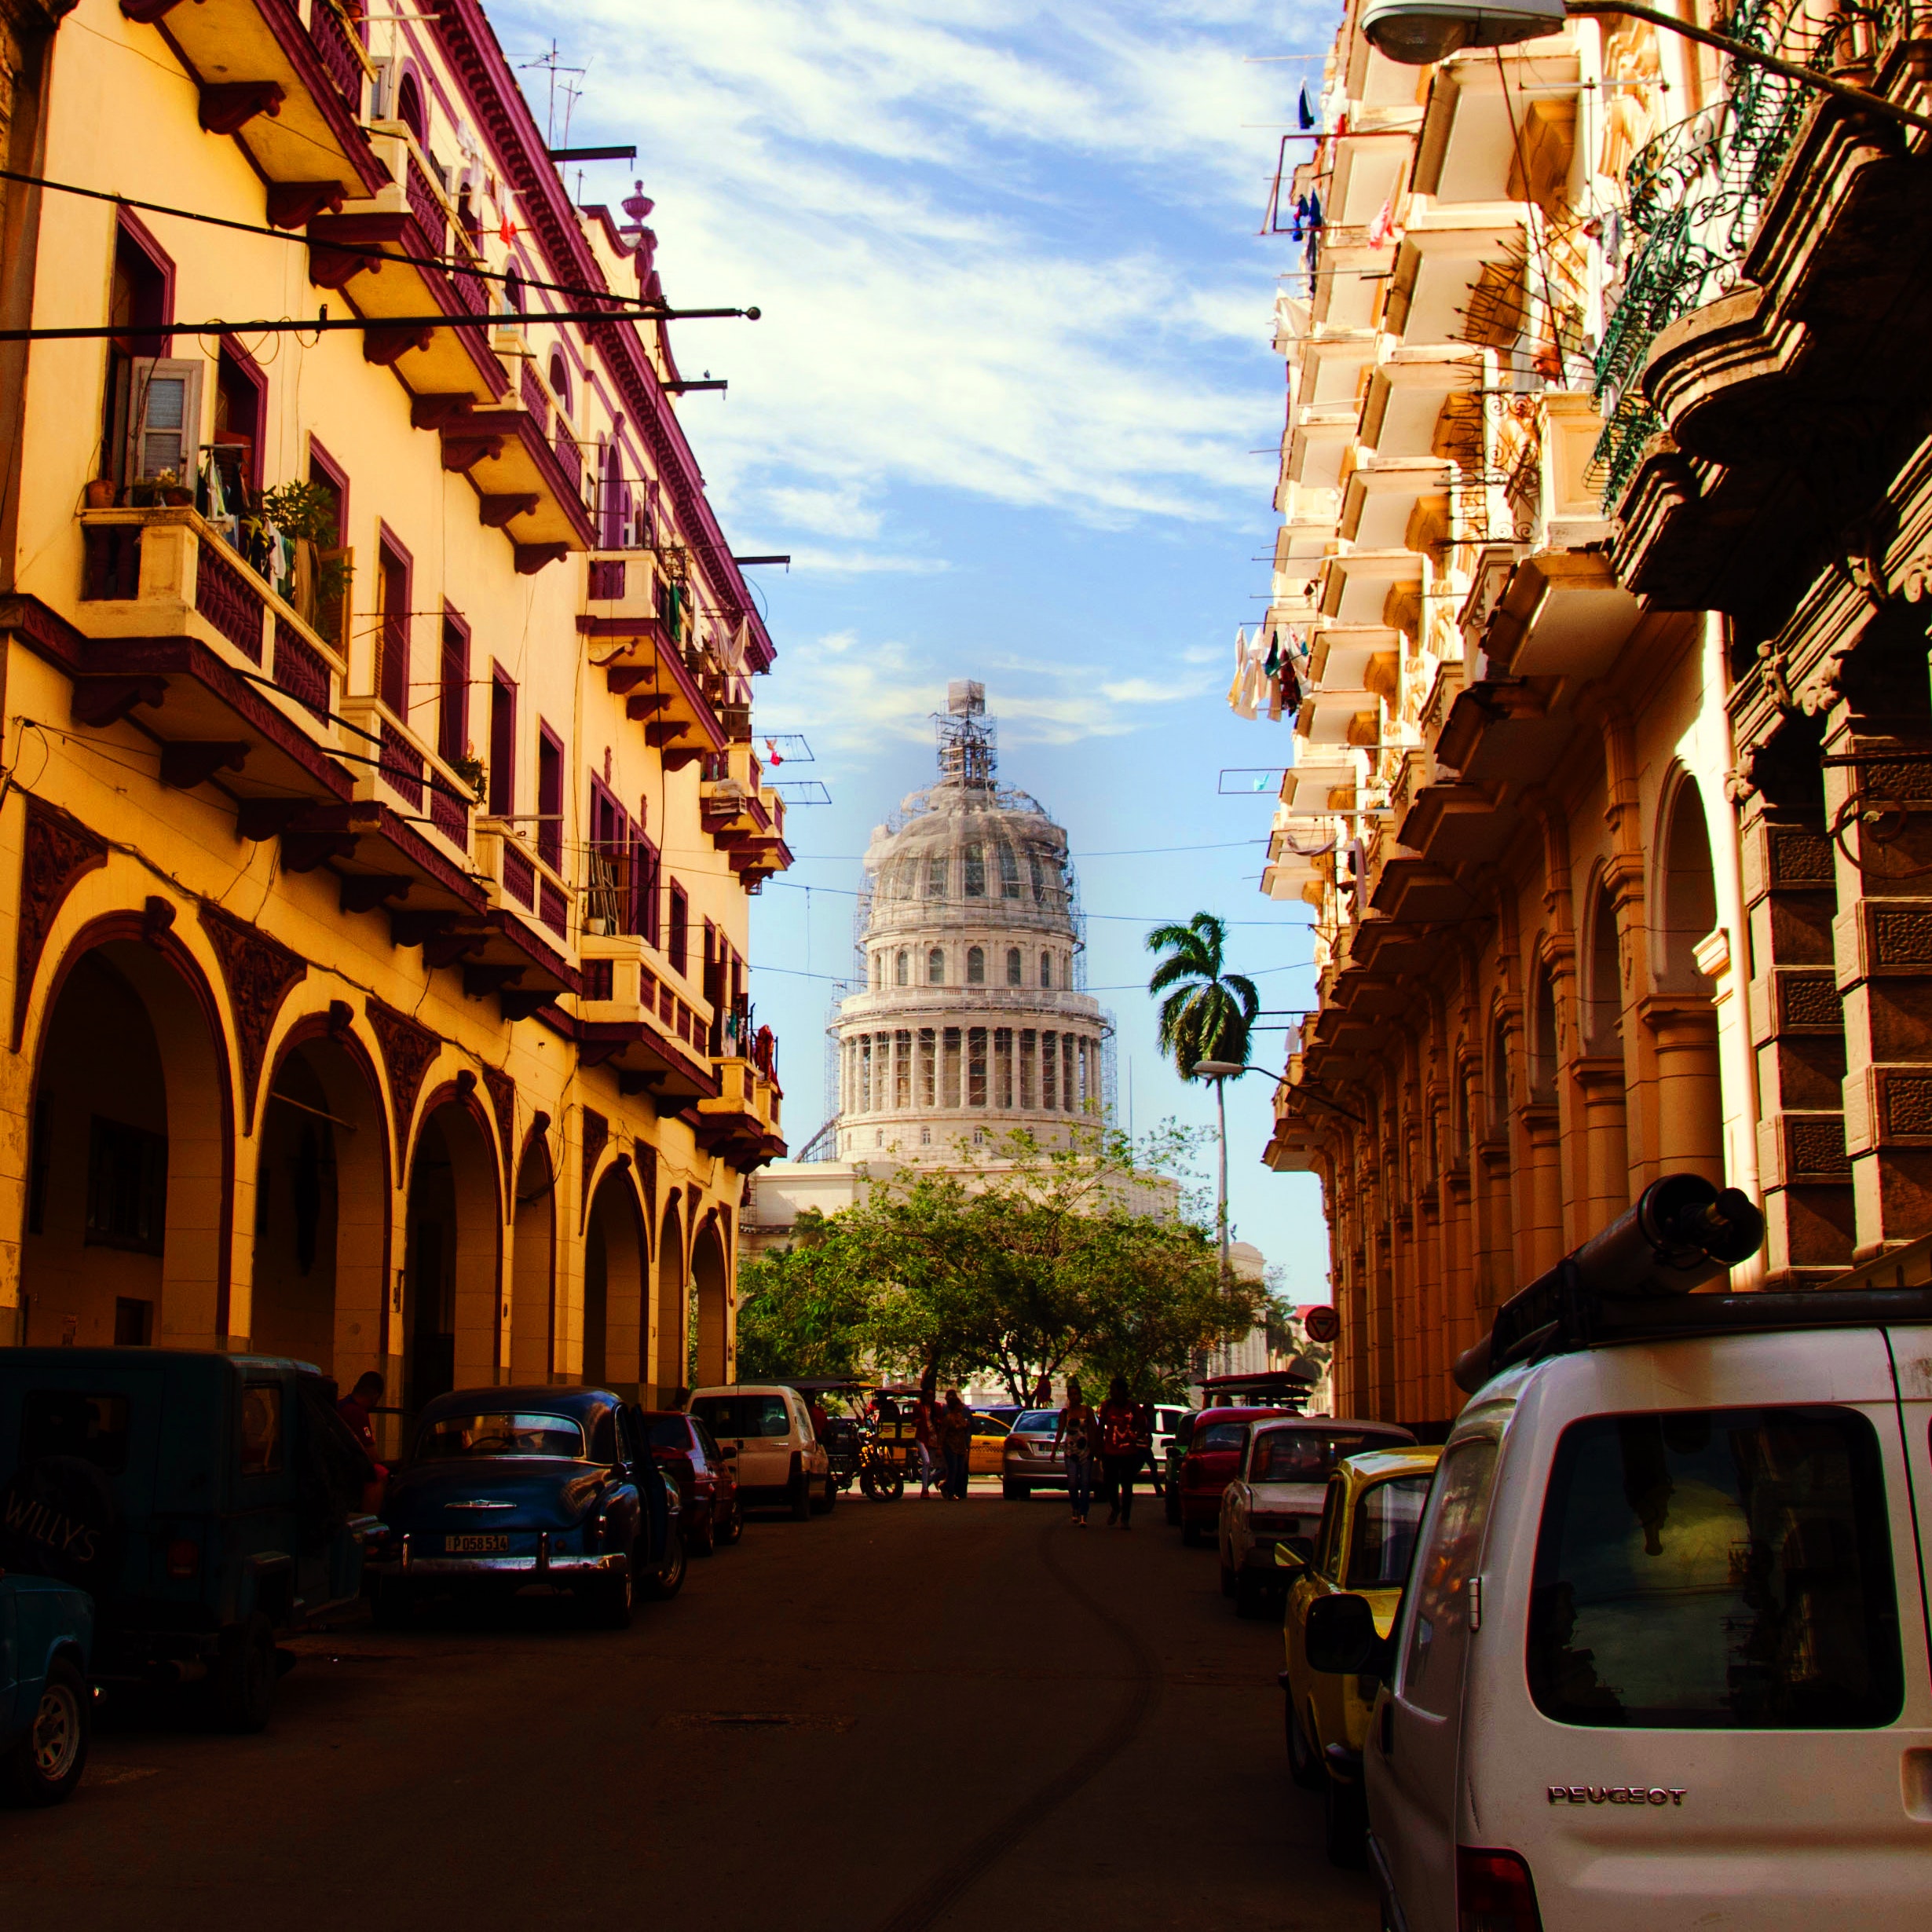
<point>507,1489</point>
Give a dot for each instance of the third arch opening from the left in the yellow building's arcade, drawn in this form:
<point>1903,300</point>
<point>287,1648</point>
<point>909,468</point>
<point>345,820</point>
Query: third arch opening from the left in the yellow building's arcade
<point>445,1326</point>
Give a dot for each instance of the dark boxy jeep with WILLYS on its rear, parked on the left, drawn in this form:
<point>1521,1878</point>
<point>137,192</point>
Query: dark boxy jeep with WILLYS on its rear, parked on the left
<point>206,1502</point>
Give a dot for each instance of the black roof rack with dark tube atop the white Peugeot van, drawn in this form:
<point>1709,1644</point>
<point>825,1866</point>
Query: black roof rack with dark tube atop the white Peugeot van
<point>1635,1278</point>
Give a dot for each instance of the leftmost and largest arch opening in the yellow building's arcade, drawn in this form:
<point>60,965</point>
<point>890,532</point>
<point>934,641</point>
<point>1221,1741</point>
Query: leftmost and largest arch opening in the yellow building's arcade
<point>130,1189</point>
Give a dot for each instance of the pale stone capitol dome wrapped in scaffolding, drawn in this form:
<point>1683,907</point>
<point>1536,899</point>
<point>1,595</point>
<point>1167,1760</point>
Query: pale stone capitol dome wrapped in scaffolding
<point>973,1021</point>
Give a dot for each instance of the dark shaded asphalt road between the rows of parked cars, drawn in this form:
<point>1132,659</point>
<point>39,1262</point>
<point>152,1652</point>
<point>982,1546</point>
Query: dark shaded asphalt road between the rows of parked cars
<point>897,1719</point>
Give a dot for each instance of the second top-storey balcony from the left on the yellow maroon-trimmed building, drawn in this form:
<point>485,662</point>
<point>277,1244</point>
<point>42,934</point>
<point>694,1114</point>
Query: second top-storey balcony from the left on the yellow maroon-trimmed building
<point>409,215</point>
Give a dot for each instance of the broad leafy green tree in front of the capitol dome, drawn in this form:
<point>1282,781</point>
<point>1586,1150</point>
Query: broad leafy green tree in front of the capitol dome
<point>1017,1263</point>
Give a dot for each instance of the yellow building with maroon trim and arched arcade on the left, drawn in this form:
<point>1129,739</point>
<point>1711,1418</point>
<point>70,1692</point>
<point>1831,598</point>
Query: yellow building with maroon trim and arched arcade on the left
<point>380,807</point>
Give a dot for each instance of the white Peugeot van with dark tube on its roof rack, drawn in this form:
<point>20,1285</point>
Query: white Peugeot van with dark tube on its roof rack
<point>1662,1659</point>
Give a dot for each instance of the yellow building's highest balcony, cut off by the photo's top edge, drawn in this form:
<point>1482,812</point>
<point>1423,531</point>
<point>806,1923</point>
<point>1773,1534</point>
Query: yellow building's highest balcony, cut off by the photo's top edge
<point>289,94</point>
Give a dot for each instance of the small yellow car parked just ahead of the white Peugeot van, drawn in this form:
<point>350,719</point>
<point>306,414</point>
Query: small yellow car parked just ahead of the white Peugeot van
<point>1363,1547</point>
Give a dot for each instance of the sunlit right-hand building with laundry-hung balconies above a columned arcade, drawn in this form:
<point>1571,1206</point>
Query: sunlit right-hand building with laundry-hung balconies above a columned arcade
<point>1601,664</point>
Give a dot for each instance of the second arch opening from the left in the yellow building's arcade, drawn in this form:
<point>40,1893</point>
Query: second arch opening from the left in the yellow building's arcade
<point>324,1203</point>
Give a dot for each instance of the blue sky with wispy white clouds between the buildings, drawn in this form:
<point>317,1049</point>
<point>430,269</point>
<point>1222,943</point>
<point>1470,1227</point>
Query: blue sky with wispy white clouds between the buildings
<point>1013,412</point>
